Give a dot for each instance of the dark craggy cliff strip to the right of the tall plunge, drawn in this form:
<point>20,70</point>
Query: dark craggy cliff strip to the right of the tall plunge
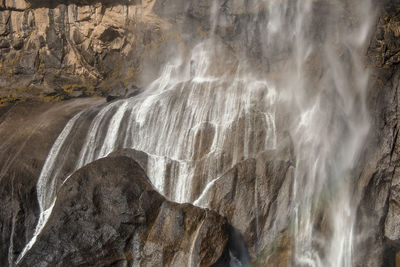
<point>378,185</point>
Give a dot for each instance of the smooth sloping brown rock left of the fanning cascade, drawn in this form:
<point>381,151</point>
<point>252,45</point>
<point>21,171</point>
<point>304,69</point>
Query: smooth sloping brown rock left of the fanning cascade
<point>27,130</point>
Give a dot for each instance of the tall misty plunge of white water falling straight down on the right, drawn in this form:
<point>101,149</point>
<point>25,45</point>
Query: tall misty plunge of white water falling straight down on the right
<point>328,133</point>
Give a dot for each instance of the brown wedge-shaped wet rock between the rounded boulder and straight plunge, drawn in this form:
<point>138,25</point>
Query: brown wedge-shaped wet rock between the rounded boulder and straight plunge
<point>255,197</point>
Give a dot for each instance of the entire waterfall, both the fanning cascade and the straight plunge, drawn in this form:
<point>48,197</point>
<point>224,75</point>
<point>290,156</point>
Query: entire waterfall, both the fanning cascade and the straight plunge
<point>212,109</point>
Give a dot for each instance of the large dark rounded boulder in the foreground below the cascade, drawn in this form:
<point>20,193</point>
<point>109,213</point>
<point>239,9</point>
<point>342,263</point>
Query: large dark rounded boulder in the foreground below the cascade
<point>108,214</point>
